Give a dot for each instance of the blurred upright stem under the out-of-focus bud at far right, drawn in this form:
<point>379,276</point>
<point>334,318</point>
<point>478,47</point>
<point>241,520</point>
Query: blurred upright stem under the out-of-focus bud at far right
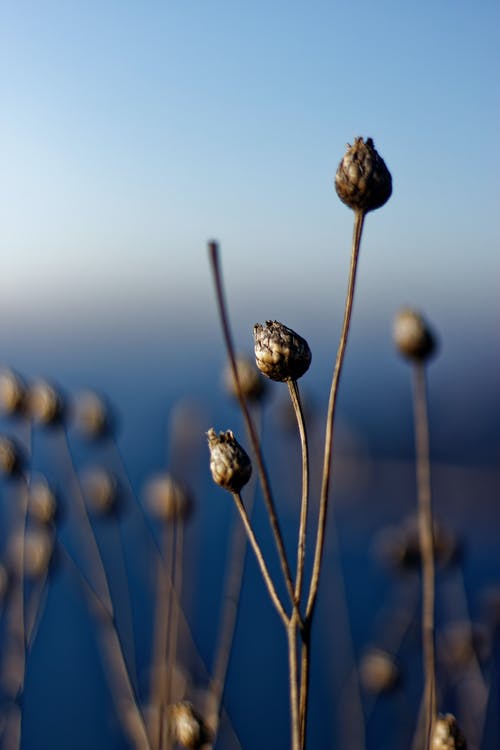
<point>426,544</point>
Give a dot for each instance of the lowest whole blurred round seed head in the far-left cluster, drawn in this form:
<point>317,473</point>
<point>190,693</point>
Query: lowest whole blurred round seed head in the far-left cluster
<point>30,553</point>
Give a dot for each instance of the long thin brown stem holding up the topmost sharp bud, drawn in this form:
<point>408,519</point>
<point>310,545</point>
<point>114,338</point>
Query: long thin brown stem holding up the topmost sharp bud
<point>359,217</point>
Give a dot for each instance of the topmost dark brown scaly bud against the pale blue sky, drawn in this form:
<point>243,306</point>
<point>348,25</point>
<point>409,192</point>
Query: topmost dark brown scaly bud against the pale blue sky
<point>363,182</point>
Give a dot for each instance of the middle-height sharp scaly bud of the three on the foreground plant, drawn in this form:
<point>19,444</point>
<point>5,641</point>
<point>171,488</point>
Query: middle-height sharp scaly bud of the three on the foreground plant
<point>280,353</point>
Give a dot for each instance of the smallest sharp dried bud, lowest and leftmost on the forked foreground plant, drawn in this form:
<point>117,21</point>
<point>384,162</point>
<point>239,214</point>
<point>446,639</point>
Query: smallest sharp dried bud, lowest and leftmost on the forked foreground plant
<point>229,463</point>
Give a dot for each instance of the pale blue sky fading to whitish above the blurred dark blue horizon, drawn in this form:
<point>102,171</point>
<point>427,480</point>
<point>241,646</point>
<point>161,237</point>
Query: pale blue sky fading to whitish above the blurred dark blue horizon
<point>132,132</point>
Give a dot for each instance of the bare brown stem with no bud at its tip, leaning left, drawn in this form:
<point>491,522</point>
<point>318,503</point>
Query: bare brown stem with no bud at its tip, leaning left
<point>252,432</point>
